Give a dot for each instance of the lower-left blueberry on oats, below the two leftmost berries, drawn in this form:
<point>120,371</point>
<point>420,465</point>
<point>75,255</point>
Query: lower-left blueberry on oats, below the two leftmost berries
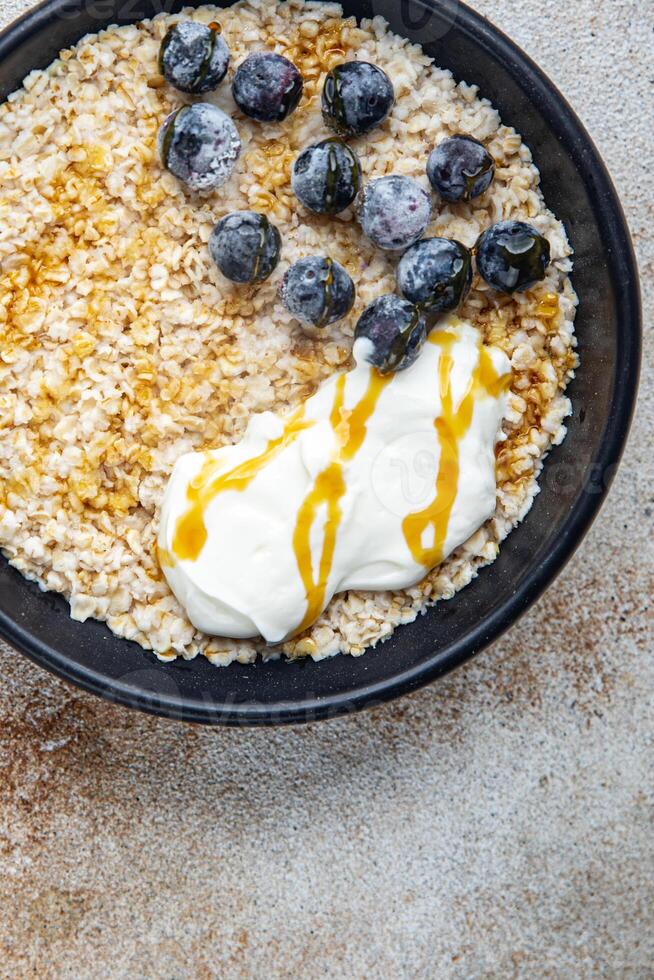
<point>245,246</point>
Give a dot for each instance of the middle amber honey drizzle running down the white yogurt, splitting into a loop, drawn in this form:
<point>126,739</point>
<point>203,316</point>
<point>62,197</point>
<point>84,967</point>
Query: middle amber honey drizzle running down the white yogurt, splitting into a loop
<point>350,428</point>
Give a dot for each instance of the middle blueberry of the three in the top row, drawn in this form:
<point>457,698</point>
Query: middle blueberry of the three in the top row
<point>267,87</point>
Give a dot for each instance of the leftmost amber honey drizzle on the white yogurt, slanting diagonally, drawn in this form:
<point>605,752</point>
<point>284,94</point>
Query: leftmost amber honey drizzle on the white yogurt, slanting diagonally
<point>190,531</point>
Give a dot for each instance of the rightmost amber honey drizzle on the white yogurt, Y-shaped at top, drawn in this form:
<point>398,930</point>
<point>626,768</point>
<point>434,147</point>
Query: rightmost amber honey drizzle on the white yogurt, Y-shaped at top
<point>451,426</point>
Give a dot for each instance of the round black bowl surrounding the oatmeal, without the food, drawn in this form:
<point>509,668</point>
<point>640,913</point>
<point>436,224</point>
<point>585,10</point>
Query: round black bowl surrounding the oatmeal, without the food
<point>578,188</point>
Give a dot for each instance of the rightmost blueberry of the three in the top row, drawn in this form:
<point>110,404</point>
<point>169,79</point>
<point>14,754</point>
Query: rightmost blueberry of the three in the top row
<point>356,97</point>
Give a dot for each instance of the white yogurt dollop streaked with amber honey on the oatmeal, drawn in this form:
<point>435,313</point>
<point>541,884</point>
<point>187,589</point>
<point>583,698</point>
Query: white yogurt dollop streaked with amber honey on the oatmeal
<point>371,483</point>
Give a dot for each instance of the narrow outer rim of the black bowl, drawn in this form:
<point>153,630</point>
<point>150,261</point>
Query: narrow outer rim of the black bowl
<point>555,109</point>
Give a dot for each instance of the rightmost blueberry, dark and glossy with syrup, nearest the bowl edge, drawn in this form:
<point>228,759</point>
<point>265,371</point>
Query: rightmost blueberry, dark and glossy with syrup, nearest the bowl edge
<point>512,256</point>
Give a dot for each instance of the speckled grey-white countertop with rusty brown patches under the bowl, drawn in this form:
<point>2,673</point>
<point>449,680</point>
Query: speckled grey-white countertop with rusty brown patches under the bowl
<point>497,824</point>
